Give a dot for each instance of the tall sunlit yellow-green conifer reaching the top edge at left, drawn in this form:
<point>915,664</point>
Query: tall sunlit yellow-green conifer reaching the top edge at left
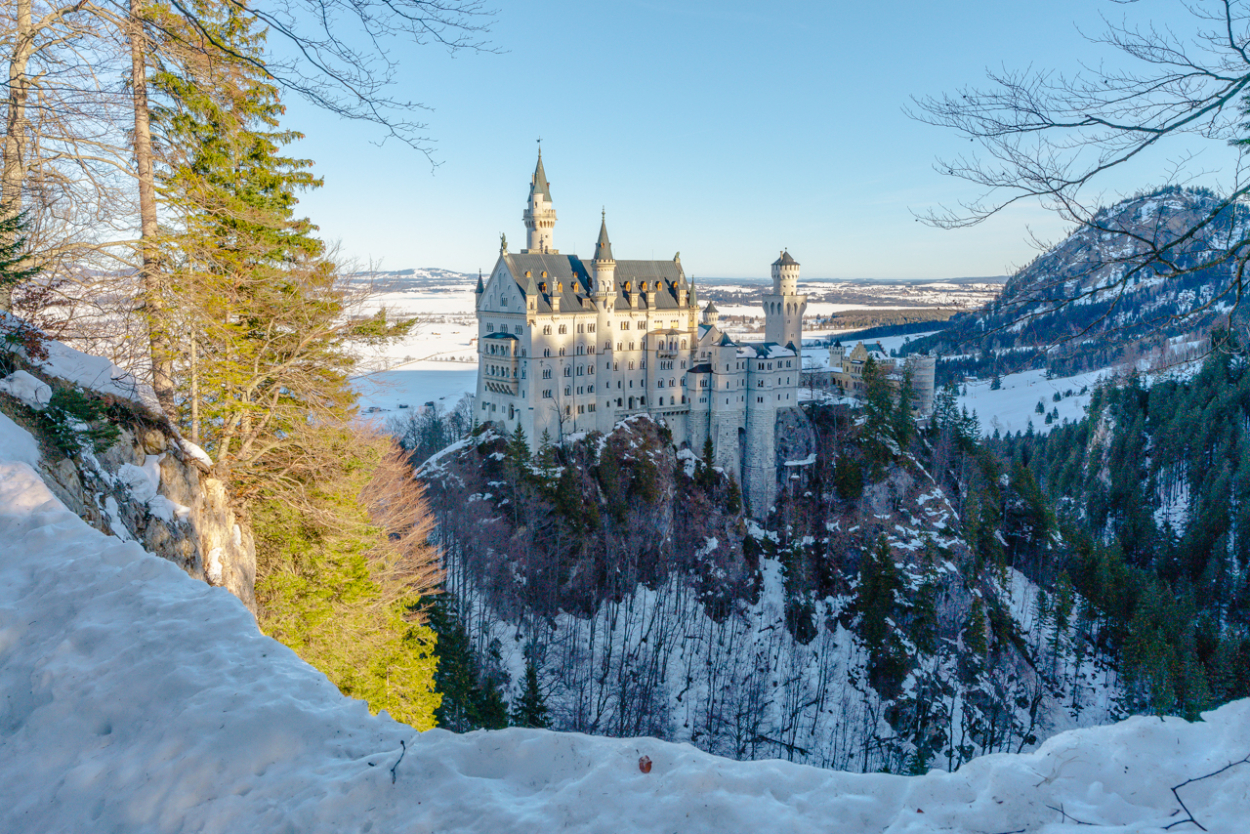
<point>262,308</point>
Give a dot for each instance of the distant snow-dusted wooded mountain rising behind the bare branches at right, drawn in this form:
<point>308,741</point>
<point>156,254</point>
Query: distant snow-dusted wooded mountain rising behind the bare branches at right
<point>1098,298</point>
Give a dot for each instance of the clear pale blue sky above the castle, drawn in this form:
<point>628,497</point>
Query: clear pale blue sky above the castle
<point>721,129</point>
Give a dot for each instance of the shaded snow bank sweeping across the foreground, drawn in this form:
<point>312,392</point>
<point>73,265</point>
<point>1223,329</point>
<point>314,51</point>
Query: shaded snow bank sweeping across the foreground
<point>138,700</point>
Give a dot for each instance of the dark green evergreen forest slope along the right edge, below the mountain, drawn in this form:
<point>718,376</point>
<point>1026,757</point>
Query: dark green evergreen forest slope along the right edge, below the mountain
<point>1153,493</point>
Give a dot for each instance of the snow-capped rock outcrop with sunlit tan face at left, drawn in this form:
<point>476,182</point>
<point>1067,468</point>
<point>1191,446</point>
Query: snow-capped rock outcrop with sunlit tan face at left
<point>112,456</point>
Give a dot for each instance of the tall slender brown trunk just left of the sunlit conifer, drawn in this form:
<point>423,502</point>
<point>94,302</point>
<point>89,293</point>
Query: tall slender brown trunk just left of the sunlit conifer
<point>152,281</point>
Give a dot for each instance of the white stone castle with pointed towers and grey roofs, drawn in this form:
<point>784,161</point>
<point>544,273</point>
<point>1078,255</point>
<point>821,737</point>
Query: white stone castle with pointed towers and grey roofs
<point>569,346</point>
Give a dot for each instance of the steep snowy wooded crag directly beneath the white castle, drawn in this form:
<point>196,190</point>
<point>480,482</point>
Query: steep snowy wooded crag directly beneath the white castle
<point>884,617</point>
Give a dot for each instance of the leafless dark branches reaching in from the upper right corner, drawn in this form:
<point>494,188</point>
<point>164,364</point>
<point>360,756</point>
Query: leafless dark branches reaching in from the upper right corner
<point>1054,138</point>
